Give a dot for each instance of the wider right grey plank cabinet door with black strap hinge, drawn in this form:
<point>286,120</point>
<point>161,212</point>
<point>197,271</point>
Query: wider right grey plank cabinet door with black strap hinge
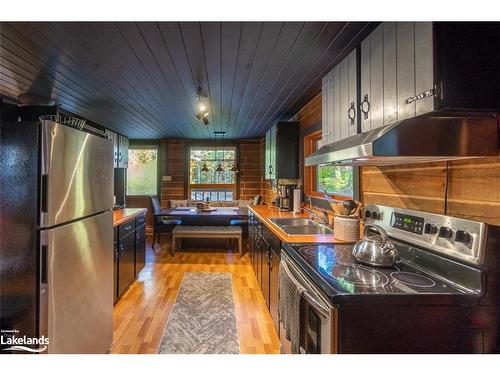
<point>396,66</point>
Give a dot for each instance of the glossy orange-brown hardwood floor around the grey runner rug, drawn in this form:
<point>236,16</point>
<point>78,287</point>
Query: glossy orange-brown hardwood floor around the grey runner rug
<point>140,317</point>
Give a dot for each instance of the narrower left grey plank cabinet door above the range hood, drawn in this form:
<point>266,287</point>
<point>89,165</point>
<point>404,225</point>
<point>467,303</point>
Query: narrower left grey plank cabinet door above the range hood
<point>340,101</point>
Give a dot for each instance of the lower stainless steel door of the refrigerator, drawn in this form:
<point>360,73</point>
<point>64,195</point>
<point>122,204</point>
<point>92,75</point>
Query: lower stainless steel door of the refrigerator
<point>76,285</point>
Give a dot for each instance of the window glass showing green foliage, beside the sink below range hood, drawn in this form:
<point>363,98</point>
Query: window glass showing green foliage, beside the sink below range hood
<point>335,179</point>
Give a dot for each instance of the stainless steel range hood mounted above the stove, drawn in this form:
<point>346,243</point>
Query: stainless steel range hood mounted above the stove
<point>415,140</point>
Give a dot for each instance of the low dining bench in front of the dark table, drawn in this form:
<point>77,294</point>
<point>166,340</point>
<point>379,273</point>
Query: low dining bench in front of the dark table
<point>227,232</point>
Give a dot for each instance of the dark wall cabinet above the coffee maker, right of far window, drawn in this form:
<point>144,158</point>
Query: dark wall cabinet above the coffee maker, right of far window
<point>282,151</point>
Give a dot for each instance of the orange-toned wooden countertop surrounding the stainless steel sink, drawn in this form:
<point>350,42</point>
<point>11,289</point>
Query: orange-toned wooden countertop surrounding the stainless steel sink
<point>264,213</point>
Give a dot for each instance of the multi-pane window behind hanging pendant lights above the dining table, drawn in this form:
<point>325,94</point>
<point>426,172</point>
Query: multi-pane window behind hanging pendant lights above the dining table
<point>205,182</point>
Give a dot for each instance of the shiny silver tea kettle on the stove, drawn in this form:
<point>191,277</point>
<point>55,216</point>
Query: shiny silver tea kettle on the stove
<point>375,249</point>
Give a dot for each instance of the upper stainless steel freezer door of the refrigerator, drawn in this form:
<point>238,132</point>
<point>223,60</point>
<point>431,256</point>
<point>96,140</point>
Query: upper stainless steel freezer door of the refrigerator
<point>77,174</point>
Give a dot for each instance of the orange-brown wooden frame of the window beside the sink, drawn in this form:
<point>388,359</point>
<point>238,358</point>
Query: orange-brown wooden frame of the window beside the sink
<point>311,173</point>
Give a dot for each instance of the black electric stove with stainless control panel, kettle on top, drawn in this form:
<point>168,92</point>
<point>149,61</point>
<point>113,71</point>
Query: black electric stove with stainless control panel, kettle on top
<point>444,293</point>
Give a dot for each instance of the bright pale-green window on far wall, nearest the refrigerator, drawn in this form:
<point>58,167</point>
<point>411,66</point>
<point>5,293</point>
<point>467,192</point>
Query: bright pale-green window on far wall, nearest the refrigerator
<point>142,172</point>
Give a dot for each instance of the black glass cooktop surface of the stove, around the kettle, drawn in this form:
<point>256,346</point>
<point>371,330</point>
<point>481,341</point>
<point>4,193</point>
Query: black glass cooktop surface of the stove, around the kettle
<point>342,278</point>
